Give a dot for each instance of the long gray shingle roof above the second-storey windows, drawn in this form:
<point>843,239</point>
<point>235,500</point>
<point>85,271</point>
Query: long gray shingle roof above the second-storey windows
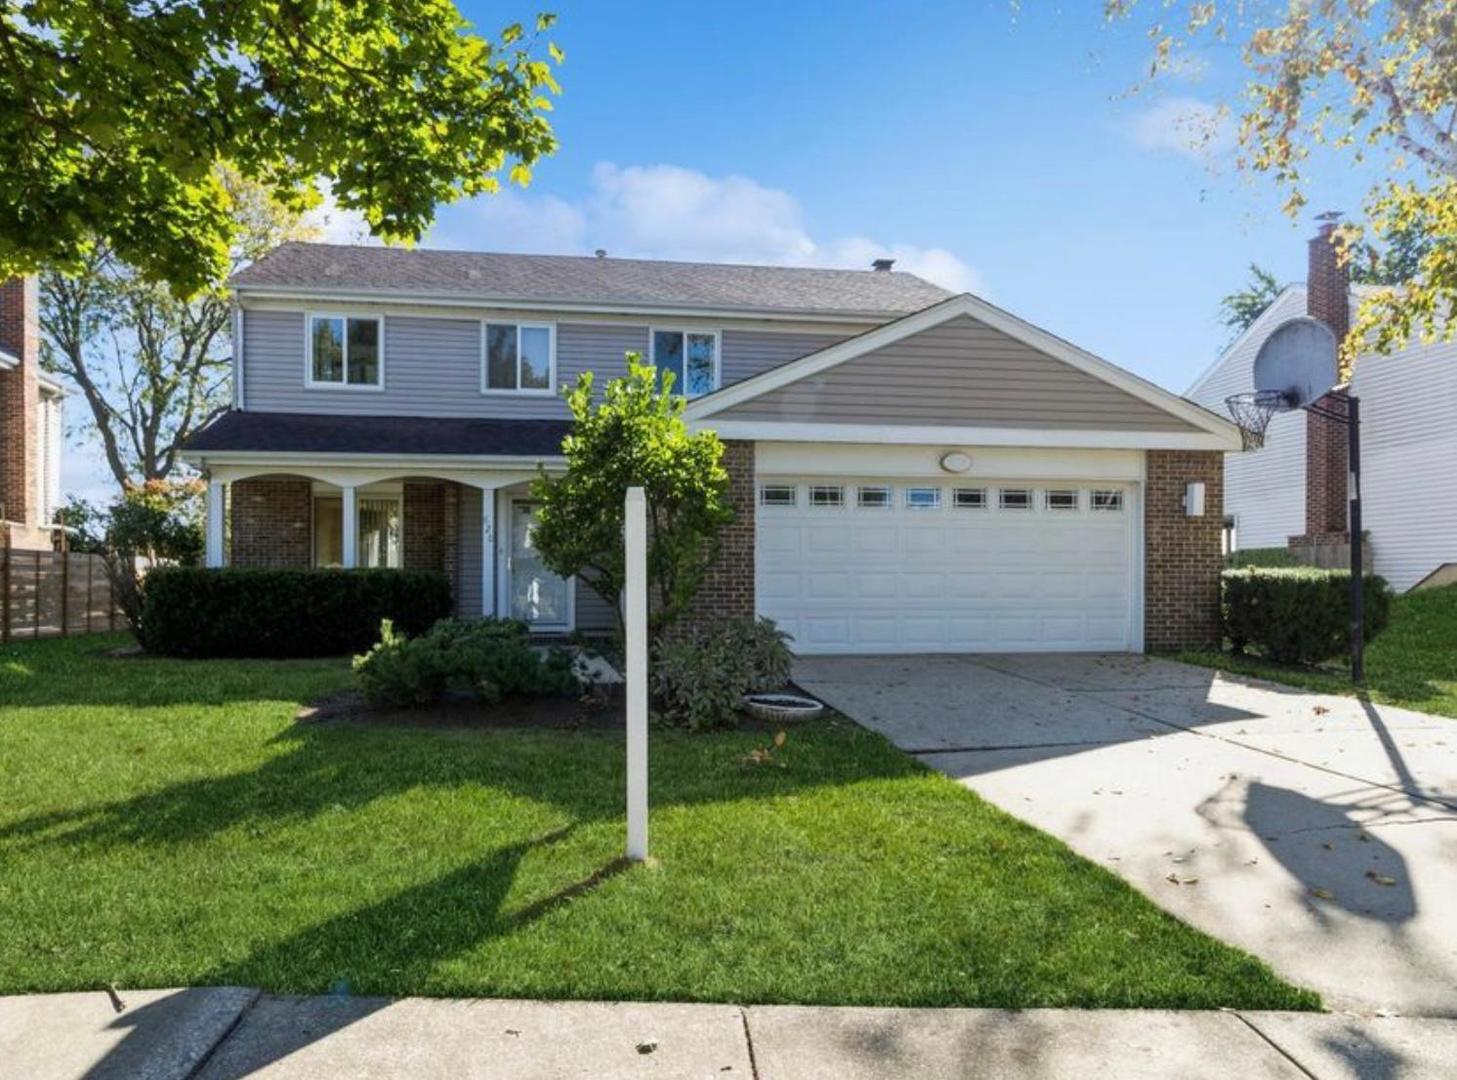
<point>486,276</point>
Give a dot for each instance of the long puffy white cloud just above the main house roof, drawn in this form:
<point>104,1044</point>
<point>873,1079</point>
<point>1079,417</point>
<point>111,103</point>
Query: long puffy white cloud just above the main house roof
<point>675,214</point>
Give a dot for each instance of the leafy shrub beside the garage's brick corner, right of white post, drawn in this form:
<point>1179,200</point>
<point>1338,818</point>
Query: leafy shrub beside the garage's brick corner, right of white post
<point>700,683</point>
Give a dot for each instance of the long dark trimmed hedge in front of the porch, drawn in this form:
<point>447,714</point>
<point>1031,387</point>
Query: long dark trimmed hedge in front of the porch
<point>190,611</point>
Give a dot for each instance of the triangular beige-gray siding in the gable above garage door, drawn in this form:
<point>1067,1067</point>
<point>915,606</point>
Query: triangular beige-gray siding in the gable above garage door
<point>959,374</point>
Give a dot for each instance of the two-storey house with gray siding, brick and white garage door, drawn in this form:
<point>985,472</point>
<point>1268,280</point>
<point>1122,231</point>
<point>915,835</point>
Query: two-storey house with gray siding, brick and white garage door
<point>914,471</point>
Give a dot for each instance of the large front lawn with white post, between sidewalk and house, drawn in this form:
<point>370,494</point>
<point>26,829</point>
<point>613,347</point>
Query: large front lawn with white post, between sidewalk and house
<point>167,823</point>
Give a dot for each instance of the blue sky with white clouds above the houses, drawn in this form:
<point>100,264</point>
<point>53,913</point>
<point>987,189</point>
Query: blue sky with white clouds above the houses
<point>991,146</point>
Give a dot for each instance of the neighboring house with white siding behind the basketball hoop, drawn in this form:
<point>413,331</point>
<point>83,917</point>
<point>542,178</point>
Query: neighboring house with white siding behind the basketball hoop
<point>1292,493</point>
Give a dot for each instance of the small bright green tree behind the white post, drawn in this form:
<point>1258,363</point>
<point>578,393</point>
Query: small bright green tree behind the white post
<point>635,437</point>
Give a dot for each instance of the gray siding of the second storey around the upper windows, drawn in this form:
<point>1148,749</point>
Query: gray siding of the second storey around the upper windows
<point>433,365</point>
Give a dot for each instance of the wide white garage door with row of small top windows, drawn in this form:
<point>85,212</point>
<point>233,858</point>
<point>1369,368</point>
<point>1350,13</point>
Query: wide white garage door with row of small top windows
<point>881,566</point>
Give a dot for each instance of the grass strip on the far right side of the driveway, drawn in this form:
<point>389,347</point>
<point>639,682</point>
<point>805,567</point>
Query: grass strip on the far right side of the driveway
<point>1413,664</point>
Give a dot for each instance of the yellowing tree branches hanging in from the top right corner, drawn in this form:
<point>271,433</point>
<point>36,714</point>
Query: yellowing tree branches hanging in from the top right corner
<point>1357,78</point>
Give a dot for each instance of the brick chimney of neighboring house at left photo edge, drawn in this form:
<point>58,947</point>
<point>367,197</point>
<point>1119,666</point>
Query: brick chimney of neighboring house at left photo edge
<point>20,402</point>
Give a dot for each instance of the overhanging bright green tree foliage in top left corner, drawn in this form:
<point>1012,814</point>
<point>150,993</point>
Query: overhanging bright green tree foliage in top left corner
<point>117,114</point>
